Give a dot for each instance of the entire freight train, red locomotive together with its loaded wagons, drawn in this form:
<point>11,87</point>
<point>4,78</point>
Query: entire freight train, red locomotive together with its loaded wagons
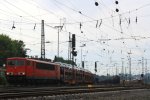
<point>21,70</point>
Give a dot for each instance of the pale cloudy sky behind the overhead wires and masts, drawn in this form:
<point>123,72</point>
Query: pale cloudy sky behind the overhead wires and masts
<point>110,36</point>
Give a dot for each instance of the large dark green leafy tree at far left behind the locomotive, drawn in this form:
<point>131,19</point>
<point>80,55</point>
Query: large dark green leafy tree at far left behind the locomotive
<point>10,48</point>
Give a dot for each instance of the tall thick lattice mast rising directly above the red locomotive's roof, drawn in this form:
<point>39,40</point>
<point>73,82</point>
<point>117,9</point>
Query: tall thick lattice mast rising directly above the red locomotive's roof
<point>42,40</point>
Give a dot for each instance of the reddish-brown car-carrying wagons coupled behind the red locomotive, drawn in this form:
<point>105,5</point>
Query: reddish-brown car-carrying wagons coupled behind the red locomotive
<point>74,75</point>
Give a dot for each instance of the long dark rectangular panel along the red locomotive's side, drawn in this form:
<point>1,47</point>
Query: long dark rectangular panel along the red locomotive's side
<point>45,66</point>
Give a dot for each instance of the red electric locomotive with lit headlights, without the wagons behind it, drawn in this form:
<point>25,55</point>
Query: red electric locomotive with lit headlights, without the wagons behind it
<point>26,70</point>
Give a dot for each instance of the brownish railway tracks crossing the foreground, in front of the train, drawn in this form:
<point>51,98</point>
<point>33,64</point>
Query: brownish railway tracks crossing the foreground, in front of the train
<point>49,91</point>
